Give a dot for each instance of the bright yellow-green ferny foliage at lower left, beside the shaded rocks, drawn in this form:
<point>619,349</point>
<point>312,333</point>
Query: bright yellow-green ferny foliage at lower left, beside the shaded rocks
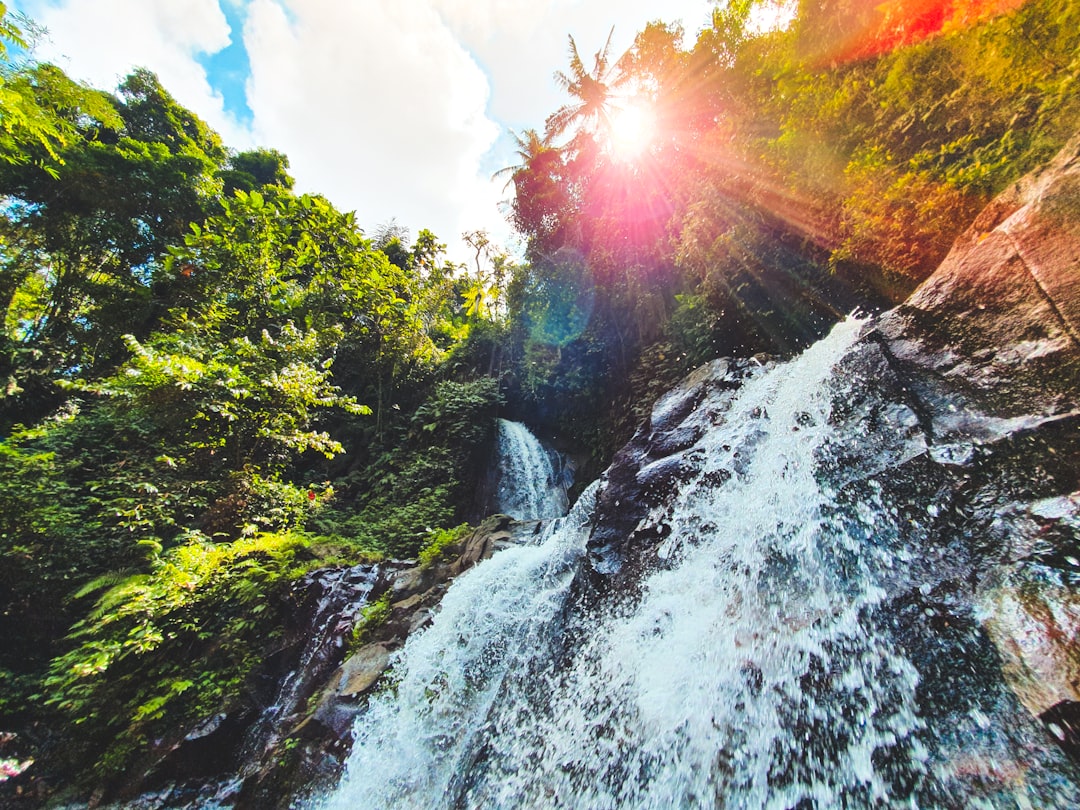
<point>130,679</point>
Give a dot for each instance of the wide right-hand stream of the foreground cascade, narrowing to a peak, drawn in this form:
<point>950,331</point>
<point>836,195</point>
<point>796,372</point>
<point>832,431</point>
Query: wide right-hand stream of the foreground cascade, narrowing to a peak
<point>744,677</point>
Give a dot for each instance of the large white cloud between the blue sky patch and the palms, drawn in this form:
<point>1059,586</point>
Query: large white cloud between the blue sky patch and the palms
<point>377,105</point>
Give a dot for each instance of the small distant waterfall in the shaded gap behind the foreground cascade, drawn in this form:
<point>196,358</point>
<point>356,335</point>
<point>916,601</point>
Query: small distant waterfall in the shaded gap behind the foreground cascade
<point>530,488</point>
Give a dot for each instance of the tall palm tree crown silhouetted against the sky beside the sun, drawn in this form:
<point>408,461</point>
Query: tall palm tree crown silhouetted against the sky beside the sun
<point>590,92</point>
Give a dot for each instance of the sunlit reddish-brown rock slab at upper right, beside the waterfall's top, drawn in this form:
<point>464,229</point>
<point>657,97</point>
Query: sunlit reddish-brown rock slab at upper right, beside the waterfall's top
<point>991,343</point>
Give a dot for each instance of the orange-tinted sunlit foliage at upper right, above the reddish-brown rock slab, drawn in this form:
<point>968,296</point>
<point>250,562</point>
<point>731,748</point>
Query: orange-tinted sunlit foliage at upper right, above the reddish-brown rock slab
<point>915,141</point>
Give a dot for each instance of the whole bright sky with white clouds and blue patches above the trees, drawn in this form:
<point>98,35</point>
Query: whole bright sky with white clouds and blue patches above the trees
<point>391,109</point>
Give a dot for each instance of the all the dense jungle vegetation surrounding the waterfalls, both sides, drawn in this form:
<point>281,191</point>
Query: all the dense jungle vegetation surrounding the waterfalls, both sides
<point>211,385</point>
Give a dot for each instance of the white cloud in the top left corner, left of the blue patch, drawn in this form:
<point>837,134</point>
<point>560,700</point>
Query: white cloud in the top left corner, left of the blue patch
<point>101,43</point>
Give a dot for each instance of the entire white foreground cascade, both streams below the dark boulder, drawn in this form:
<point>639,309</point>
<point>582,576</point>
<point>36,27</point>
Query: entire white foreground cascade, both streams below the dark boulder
<point>751,669</point>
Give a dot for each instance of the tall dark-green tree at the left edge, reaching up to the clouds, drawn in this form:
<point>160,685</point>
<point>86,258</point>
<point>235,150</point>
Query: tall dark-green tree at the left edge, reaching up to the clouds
<point>84,253</point>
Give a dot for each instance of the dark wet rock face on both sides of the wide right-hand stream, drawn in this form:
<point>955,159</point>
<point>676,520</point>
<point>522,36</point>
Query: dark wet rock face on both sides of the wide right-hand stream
<point>957,417</point>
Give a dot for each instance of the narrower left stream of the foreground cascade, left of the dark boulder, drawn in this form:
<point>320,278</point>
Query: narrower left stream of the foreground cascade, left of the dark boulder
<point>495,623</point>
